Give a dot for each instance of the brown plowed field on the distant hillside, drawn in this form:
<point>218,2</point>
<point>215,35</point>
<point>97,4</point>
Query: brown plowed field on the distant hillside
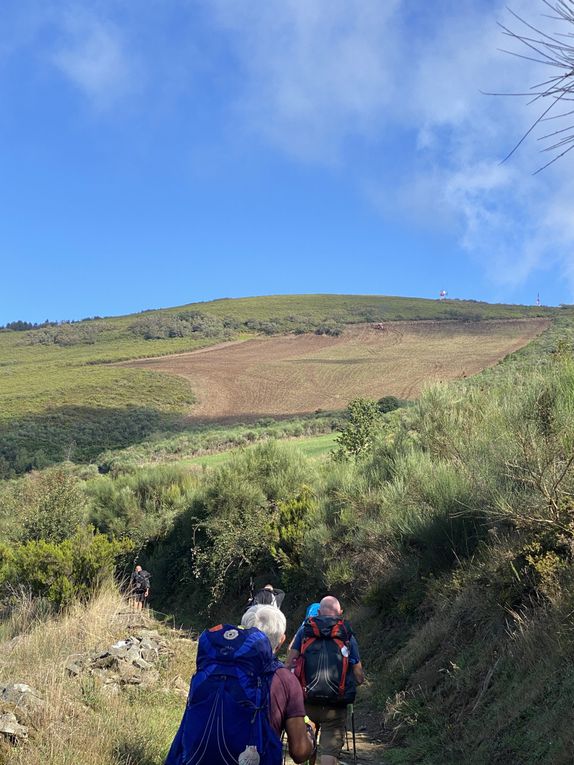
<point>294,374</point>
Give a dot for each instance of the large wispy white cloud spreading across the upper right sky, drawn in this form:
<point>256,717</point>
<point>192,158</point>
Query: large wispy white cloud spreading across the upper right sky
<point>322,74</point>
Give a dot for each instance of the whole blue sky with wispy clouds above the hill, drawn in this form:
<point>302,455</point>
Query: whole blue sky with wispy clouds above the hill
<point>161,152</point>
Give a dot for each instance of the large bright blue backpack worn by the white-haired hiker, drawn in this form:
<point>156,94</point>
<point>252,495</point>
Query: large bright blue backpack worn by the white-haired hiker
<point>228,705</point>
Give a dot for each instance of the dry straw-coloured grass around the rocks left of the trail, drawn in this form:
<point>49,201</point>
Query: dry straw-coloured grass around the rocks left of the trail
<point>82,722</point>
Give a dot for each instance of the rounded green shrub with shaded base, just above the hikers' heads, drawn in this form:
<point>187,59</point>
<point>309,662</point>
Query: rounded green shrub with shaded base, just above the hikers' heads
<point>249,515</point>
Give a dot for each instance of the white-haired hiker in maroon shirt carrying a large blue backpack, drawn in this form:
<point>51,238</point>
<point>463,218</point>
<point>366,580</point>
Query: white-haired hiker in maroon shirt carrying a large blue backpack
<point>242,698</point>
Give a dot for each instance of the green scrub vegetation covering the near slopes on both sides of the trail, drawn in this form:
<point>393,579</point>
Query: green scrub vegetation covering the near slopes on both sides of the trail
<point>446,526</point>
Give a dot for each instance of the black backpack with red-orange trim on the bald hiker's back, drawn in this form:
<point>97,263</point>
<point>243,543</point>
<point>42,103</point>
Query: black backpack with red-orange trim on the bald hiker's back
<point>323,666</point>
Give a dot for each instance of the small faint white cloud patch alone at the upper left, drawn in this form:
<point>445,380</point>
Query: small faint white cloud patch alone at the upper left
<point>92,54</point>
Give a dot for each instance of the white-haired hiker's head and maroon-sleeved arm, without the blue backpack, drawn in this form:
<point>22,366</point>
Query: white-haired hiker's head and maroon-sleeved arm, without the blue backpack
<point>286,704</point>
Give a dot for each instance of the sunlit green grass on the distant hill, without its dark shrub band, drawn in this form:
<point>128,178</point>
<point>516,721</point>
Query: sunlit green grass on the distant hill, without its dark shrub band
<point>66,401</point>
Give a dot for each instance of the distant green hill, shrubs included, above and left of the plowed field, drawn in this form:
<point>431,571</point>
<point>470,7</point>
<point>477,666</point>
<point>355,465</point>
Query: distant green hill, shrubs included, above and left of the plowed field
<point>62,396</point>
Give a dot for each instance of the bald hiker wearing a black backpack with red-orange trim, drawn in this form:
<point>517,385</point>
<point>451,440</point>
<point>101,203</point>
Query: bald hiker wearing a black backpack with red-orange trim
<point>326,660</point>
